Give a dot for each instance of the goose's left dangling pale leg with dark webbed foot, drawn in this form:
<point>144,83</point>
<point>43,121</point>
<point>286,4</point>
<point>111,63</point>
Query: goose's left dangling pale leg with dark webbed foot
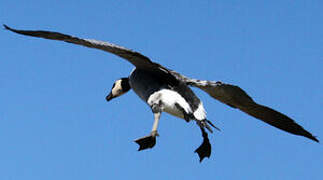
<point>150,140</point>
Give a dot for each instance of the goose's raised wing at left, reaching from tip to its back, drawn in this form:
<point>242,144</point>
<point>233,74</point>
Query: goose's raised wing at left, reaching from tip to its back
<point>135,58</point>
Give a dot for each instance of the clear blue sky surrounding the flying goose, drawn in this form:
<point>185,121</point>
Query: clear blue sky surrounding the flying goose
<point>55,122</point>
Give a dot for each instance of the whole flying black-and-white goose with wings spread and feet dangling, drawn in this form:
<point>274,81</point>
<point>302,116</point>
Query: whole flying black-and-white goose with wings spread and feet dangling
<point>165,90</point>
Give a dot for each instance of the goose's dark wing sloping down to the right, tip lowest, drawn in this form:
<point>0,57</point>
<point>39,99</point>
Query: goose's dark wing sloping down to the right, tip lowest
<point>235,97</point>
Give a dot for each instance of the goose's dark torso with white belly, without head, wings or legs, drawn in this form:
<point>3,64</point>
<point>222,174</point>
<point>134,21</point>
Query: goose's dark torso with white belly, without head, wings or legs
<point>175,98</point>
